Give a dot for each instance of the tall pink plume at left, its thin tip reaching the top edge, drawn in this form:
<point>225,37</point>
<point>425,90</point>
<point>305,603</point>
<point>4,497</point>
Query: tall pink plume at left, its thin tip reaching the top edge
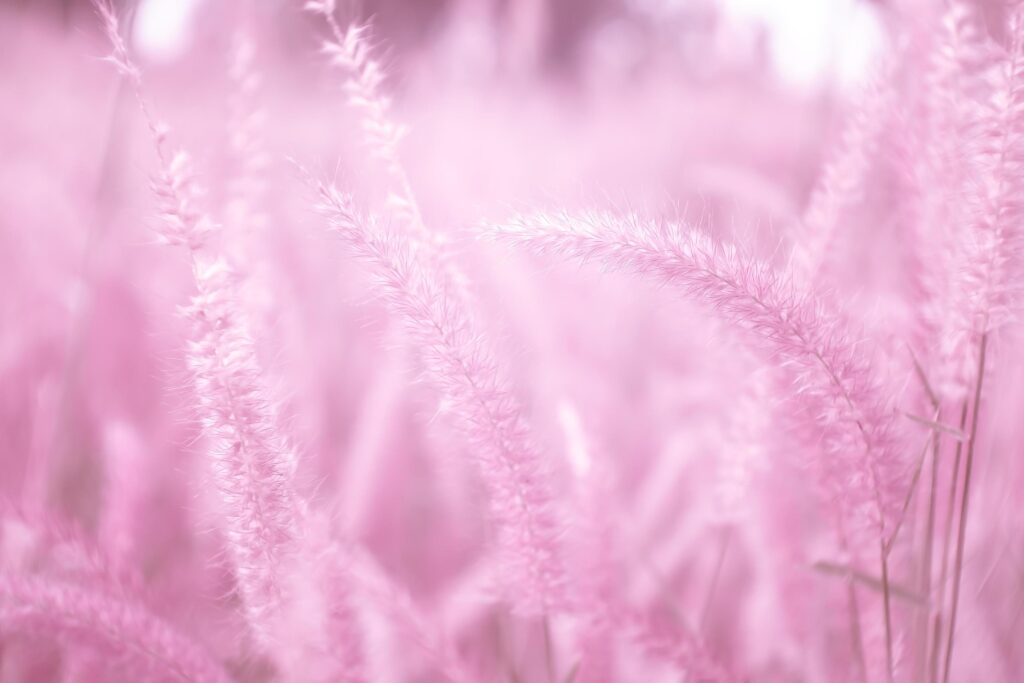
<point>252,464</point>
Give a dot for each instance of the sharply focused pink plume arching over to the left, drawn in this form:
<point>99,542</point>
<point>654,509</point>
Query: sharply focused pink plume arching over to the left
<point>862,464</point>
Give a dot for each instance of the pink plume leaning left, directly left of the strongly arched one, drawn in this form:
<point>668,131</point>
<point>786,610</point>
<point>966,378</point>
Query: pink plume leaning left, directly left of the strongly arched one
<point>464,370</point>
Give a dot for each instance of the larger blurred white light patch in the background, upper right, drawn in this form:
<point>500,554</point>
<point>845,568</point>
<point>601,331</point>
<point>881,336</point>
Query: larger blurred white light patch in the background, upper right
<point>813,41</point>
